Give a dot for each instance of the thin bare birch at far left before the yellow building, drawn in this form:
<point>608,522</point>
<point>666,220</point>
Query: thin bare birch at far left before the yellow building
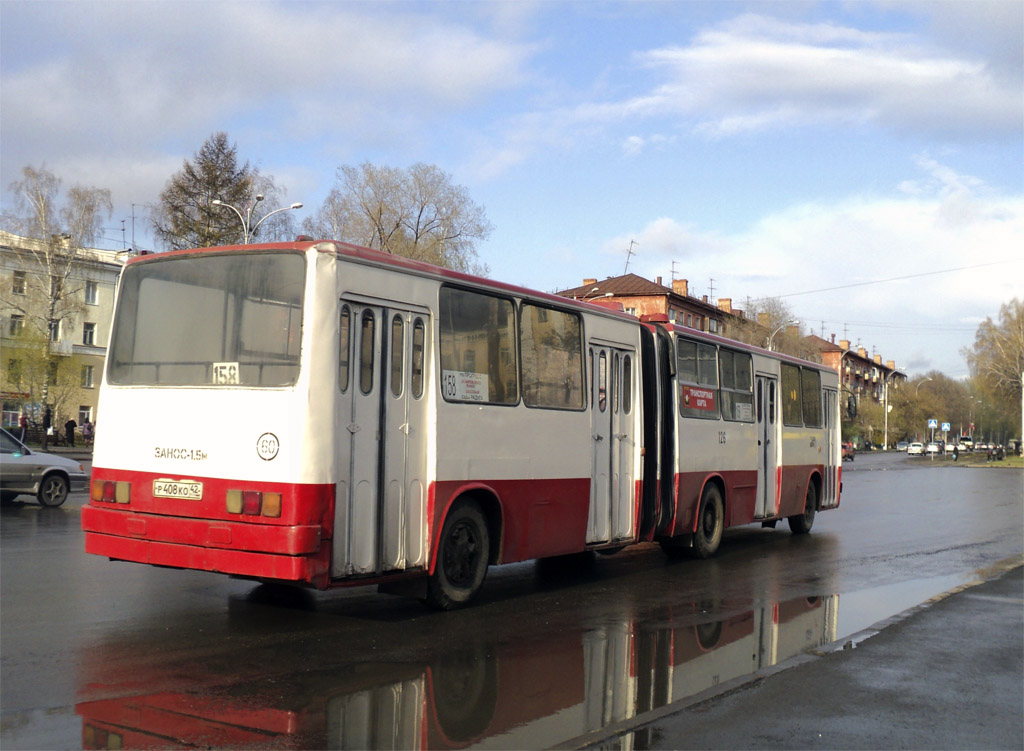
<point>56,228</point>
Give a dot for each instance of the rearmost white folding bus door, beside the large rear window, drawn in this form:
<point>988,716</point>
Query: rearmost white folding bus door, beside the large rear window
<point>382,436</point>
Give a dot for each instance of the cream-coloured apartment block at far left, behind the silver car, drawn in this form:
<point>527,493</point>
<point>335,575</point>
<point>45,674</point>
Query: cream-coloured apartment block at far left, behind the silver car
<point>83,336</point>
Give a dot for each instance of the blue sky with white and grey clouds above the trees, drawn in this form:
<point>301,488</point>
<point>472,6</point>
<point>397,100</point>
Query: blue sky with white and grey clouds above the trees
<point>864,162</point>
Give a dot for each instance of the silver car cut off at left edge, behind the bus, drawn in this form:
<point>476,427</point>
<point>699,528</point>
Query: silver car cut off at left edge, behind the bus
<point>48,477</point>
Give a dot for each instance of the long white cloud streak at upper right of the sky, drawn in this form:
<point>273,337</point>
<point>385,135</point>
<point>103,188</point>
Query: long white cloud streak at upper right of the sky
<point>754,73</point>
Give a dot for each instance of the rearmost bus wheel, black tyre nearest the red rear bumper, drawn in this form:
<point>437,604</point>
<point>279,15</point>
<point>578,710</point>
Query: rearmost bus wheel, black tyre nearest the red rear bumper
<point>462,559</point>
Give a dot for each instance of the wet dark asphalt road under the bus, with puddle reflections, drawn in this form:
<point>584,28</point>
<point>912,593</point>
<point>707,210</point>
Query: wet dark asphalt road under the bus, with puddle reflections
<point>102,655</point>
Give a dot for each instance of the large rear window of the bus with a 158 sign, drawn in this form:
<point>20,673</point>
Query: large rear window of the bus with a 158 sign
<point>215,320</point>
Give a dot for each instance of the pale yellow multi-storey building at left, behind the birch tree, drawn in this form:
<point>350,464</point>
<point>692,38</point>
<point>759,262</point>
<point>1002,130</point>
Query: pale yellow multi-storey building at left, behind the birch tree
<point>78,340</point>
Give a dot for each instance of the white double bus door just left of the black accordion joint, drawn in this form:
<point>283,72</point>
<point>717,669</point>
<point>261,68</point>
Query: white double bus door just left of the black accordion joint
<point>613,374</point>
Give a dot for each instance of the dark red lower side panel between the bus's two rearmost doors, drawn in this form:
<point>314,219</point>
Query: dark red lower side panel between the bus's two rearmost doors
<point>541,518</point>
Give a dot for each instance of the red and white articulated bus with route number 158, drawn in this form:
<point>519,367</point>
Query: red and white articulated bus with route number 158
<point>327,415</point>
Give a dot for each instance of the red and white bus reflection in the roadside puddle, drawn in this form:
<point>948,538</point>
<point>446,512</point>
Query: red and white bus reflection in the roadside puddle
<point>513,695</point>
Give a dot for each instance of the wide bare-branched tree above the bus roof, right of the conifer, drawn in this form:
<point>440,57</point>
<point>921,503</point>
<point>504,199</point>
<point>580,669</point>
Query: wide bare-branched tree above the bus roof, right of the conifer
<point>417,214</point>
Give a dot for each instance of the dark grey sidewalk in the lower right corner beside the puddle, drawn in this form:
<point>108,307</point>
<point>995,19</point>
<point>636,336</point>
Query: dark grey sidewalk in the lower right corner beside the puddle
<point>948,675</point>
